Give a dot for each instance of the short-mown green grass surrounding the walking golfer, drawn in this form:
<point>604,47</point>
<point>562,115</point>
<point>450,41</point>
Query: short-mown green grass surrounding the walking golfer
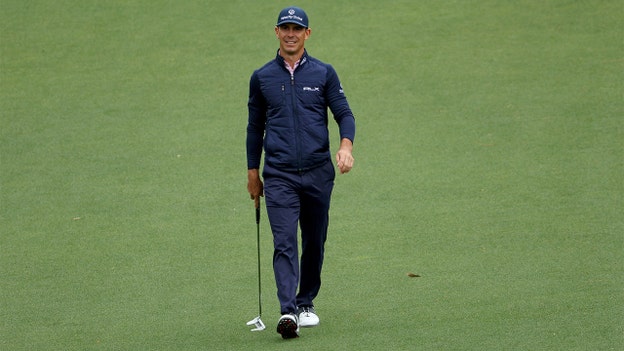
<point>489,160</point>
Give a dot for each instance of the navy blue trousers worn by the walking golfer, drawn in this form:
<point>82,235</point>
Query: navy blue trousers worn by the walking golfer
<point>298,199</point>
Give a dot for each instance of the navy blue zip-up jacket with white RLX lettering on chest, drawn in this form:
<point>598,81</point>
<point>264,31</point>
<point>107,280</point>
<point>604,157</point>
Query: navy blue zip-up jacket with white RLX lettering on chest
<point>288,114</point>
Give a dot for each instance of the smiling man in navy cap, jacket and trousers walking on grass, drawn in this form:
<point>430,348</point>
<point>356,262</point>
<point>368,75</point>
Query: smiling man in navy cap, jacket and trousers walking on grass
<point>288,101</point>
